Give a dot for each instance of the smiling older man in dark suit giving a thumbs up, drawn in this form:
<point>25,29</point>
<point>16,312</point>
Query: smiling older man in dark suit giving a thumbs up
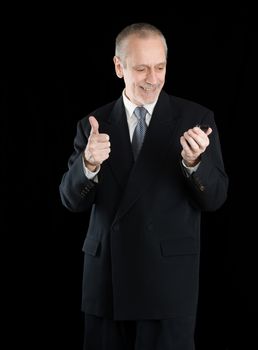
<point>140,283</point>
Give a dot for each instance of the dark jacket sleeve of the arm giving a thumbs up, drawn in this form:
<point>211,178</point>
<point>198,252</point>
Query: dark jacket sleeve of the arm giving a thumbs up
<point>76,191</point>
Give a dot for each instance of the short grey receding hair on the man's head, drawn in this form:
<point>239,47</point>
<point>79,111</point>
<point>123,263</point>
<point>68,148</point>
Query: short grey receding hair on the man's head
<point>141,30</point>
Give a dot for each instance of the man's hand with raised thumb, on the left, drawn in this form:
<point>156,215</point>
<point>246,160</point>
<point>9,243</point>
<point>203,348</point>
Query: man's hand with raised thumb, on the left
<point>98,147</point>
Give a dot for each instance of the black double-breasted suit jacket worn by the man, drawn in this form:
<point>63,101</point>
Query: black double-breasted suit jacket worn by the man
<point>143,241</point>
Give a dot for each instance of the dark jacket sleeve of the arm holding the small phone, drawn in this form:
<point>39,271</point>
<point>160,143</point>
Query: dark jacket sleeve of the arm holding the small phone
<point>209,184</point>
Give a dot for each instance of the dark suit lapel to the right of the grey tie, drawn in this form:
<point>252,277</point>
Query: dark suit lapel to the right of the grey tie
<point>152,155</point>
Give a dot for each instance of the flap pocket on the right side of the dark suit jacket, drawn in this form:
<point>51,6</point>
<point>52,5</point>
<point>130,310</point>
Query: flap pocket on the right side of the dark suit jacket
<point>179,246</point>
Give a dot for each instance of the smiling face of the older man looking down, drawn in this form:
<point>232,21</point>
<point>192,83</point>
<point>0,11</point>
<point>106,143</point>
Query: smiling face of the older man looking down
<point>144,68</point>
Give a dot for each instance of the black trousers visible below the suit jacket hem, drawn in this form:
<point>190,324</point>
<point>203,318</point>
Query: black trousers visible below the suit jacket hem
<point>169,334</point>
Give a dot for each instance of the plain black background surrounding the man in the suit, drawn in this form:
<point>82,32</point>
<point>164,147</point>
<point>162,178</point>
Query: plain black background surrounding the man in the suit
<point>68,72</point>
